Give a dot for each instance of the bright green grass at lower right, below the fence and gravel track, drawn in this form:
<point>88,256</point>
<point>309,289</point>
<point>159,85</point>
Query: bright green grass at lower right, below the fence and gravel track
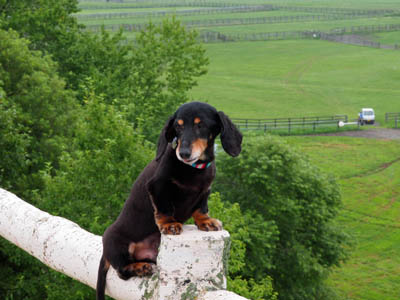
<point>370,214</point>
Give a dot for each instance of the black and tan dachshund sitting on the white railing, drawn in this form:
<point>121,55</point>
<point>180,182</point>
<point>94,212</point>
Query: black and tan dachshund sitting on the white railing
<point>172,188</point>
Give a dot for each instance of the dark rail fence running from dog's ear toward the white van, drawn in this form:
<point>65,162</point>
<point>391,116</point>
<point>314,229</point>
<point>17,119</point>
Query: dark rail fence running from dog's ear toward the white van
<point>289,123</point>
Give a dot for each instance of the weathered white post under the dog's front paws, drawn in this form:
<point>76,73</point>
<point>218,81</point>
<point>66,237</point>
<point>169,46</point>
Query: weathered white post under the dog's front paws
<point>192,263</point>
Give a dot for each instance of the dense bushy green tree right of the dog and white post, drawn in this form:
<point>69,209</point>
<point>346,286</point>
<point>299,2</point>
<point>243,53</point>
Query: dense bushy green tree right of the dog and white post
<point>280,187</point>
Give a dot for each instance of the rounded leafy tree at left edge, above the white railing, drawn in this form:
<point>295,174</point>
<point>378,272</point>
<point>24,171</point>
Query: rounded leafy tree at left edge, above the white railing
<point>36,113</point>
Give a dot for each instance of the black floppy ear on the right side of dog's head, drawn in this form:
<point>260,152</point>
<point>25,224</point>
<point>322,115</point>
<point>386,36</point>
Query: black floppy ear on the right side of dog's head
<point>231,138</point>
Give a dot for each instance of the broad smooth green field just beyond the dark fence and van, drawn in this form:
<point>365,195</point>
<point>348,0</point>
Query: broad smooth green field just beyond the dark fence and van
<point>300,78</point>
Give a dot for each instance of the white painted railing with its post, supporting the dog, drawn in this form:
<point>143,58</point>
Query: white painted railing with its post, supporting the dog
<point>189,266</point>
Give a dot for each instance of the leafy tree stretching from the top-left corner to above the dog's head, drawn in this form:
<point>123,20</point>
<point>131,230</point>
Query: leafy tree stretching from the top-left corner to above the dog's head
<point>151,76</point>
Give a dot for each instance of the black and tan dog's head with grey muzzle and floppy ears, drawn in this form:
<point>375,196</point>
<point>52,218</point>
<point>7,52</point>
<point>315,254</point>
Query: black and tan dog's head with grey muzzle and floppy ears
<point>195,126</point>
